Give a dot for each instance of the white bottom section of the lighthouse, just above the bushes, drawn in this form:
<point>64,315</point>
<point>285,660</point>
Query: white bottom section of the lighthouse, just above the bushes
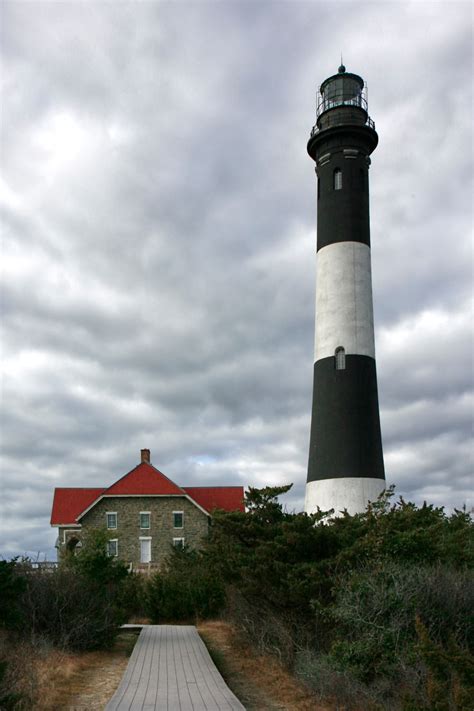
<point>351,493</point>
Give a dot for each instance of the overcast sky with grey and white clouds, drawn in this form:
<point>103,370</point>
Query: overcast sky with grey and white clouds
<point>159,216</point>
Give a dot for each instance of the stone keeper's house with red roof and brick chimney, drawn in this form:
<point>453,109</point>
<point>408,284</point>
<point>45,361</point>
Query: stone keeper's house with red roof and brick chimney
<point>144,512</point>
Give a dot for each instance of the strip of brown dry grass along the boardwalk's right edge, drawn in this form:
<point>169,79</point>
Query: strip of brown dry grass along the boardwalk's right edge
<point>259,681</point>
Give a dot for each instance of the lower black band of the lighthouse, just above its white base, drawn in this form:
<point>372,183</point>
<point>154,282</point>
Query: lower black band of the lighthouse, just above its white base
<point>345,425</point>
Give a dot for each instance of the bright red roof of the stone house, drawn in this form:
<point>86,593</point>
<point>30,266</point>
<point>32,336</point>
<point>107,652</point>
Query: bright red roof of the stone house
<point>144,480</point>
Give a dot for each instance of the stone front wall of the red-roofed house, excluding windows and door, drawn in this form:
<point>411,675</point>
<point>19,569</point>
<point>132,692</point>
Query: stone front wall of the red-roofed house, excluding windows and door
<point>161,531</point>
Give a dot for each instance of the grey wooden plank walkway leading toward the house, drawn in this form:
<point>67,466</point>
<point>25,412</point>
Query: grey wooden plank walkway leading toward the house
<point>170,670</point>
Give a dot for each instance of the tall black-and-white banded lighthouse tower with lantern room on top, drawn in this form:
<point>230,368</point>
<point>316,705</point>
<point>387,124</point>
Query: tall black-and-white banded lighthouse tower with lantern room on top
<point>345,469</point>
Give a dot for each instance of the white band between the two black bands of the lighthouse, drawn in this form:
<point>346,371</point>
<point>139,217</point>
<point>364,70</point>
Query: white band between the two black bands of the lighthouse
<point>344,310</point>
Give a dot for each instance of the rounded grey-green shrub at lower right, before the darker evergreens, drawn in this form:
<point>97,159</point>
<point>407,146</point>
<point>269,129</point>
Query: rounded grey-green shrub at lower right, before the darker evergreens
<point>375,611</point>
